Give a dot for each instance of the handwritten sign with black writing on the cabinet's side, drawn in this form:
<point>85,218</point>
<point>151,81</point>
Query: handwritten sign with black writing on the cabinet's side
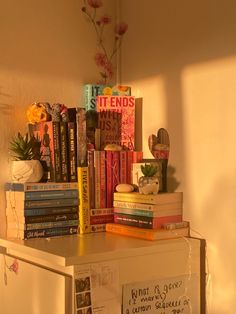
<point>175,295</point>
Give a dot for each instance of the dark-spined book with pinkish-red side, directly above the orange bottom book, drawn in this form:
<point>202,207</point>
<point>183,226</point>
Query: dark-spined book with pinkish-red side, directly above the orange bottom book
<point>144,221</point>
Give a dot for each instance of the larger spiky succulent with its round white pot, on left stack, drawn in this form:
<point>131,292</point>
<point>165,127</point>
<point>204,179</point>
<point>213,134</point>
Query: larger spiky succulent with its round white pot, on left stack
<point>26,166</point>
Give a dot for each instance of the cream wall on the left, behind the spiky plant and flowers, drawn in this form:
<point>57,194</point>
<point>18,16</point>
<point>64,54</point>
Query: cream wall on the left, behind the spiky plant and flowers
<point>47,54</point>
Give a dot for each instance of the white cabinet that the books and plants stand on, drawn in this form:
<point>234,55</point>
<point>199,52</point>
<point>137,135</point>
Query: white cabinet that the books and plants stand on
<point>45,284</point>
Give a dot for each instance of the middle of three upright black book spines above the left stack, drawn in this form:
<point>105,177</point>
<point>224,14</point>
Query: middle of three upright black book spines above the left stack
<point>64,151</point>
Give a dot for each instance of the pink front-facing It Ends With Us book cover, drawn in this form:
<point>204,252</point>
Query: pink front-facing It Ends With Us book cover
<point>116,119</point>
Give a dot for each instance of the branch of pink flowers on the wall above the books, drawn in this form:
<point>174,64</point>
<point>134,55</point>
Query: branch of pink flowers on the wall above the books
<point>104,59</point>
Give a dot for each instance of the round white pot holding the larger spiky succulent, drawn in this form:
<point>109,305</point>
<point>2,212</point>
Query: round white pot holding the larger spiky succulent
<point>26,171</point>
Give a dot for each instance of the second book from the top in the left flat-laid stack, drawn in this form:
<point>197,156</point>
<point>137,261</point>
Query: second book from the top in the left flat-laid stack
<point>46,195</point>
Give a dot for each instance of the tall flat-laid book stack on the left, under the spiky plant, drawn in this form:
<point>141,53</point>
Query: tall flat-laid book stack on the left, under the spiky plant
<point>36,210</point>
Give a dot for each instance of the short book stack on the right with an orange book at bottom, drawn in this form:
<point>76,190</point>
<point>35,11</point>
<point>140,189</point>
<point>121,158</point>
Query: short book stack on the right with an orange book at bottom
<point>150,217</point>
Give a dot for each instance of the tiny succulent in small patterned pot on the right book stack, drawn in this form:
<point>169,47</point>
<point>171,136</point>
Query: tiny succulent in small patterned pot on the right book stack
<point>148,183</point>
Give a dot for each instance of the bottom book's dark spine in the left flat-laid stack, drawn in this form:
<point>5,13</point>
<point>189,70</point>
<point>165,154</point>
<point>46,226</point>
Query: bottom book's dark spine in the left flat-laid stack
<point>50,232</point>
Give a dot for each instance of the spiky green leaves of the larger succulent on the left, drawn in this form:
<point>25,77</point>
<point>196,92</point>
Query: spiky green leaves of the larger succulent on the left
<point>24,147</point>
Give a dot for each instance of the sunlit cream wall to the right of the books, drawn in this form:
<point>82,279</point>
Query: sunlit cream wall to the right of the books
<point>180,57</point>
